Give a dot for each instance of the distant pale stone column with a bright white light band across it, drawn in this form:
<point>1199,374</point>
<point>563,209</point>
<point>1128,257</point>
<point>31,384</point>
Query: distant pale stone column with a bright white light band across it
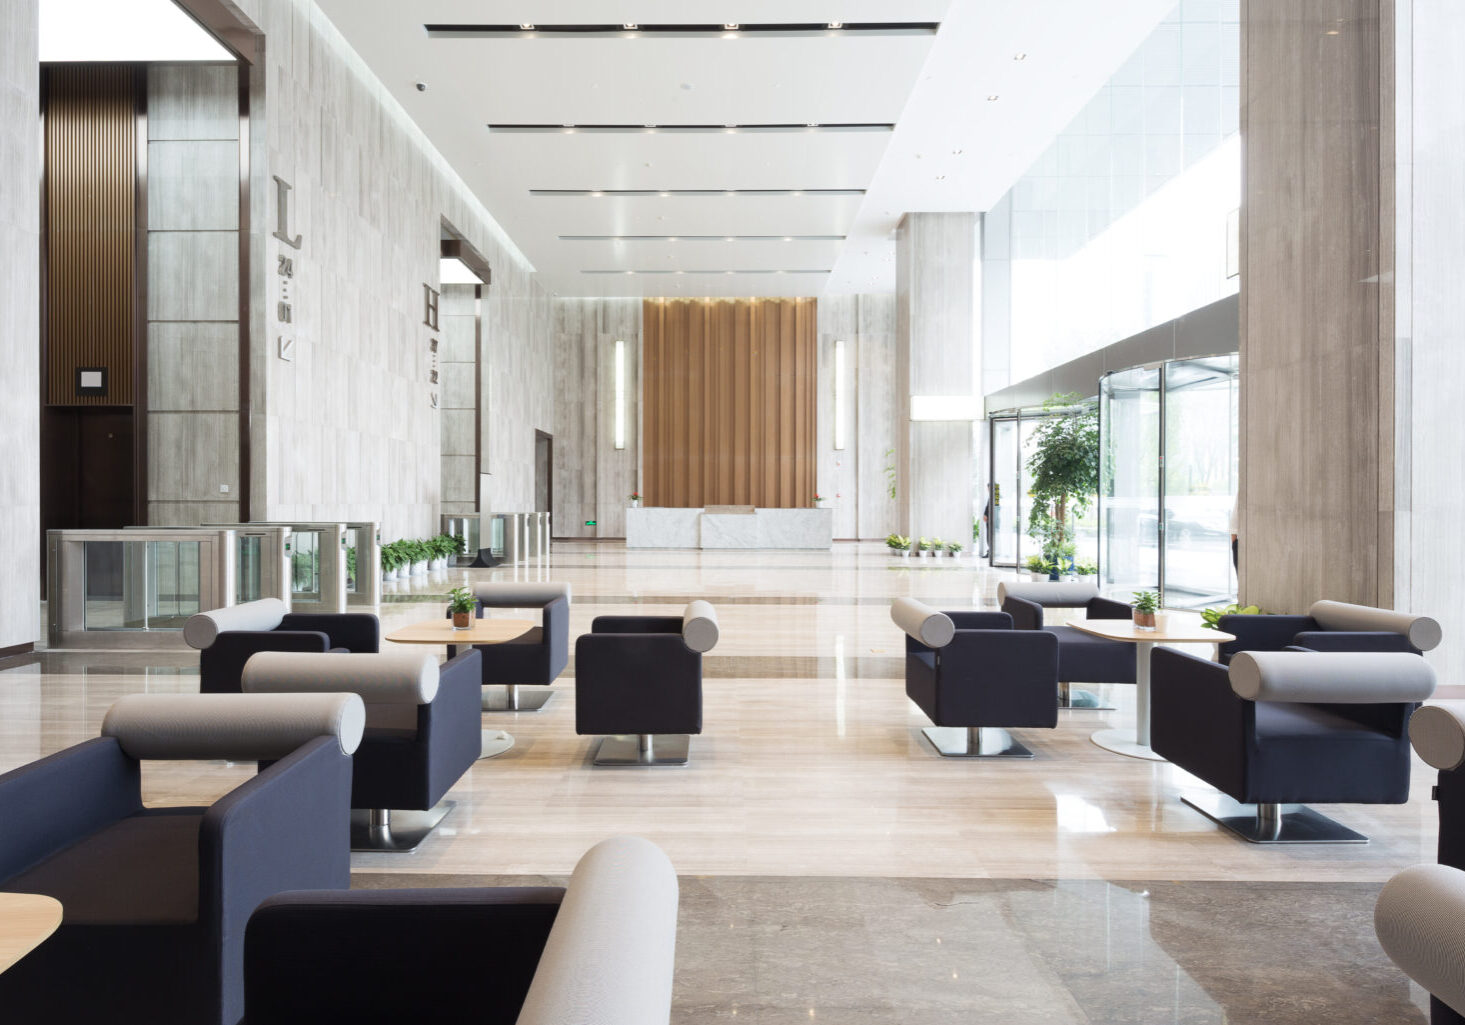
<point>937,359</point>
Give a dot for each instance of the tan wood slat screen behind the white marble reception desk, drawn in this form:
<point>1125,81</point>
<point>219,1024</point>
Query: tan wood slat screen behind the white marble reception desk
<point>729,402</point>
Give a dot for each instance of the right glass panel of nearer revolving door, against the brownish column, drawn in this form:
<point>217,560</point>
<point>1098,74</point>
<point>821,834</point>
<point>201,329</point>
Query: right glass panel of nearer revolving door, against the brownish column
<point>1201,480</point>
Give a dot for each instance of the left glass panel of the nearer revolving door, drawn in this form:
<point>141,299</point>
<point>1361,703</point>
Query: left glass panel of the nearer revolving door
<point>1130,481</point>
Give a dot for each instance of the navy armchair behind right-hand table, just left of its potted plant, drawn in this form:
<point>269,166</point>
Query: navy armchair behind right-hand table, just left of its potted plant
<point>1080,657</point>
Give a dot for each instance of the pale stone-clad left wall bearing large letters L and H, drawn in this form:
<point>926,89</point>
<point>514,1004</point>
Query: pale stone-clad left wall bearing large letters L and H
<point>346,430</point>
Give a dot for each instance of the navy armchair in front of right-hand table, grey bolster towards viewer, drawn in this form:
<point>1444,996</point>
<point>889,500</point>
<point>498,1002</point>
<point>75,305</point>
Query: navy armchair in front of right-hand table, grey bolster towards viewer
<point>1280,730</point>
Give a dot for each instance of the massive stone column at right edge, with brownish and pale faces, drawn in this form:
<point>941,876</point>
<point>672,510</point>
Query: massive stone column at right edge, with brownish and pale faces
<point>1351,314</point>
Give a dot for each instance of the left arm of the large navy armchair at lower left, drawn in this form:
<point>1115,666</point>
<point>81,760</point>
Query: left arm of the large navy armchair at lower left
<point>64,799</point>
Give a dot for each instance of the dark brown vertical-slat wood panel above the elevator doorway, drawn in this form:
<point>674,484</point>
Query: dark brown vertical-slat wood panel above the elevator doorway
<point>92,174</point>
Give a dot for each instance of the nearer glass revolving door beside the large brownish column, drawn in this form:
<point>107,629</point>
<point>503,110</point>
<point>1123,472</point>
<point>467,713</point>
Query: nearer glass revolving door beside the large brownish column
<point>1168,480</point>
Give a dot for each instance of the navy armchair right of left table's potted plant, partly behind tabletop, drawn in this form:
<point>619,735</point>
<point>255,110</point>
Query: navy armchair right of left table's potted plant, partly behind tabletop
<point>537,657</point>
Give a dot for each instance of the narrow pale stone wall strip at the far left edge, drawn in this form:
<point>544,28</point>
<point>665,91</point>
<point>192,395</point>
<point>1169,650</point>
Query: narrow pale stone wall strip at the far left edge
<point>20,326</point>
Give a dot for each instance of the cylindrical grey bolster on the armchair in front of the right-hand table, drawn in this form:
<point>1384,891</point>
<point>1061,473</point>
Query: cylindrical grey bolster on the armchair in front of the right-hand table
<point>1332,677</point>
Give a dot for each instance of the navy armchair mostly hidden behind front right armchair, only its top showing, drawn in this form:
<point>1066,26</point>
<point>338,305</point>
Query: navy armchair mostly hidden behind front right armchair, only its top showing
<point>1331,627</point>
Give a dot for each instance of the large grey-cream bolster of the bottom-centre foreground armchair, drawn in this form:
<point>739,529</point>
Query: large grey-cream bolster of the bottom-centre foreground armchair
<point>597,970</point>
